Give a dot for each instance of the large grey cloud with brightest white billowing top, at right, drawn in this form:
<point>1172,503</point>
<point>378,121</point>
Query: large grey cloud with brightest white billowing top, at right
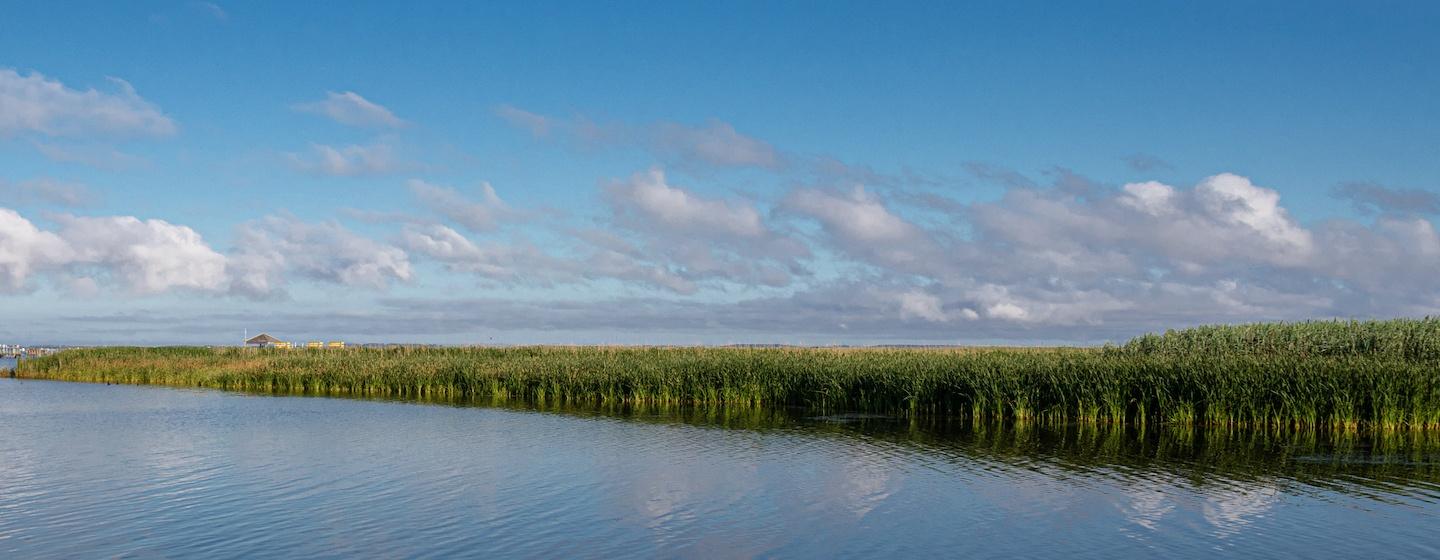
<point>1222,222</point>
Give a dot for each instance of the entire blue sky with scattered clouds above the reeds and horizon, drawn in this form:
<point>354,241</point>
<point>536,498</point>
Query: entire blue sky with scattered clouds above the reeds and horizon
<point>809,173</point>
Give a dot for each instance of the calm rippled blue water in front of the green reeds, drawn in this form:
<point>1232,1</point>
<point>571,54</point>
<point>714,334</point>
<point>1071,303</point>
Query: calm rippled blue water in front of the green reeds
<point>103,471</point>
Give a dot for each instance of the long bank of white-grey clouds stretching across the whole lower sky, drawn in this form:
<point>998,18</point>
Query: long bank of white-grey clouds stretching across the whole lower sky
<point>1071,261</point>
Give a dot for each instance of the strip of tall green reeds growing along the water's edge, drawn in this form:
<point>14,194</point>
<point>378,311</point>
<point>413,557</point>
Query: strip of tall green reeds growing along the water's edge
<point>1315,375</point>
